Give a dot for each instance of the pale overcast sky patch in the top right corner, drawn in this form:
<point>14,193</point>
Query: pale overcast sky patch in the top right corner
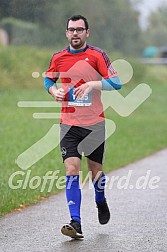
<point>146,7</point>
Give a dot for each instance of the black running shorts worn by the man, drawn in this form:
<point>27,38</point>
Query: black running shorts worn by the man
<point>90,140</point>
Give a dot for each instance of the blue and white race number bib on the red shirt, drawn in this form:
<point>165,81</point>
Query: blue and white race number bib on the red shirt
<point>81,101</point>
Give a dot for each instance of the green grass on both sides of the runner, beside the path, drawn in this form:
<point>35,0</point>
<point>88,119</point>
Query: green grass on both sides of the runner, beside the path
<point>141,134</point>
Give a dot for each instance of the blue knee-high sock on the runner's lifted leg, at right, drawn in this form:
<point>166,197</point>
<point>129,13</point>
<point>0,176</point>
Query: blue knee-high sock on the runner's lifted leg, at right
<point>99,187</point>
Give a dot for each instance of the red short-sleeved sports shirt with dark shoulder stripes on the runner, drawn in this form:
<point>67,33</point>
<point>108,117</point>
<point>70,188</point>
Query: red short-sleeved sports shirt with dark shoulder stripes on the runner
<point>75,68</point>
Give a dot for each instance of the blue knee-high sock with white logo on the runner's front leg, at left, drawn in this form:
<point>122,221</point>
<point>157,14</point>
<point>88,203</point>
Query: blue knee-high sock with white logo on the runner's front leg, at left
<point>73,195</point>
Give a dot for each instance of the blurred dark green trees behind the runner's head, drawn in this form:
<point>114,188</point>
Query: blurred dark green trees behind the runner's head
<point>114,24</point>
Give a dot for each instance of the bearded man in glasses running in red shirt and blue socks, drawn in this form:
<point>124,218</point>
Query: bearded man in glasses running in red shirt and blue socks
<point>84,71</point>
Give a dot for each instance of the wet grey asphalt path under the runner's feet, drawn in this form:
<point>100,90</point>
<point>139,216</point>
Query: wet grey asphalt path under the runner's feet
<point>138,216</point>
